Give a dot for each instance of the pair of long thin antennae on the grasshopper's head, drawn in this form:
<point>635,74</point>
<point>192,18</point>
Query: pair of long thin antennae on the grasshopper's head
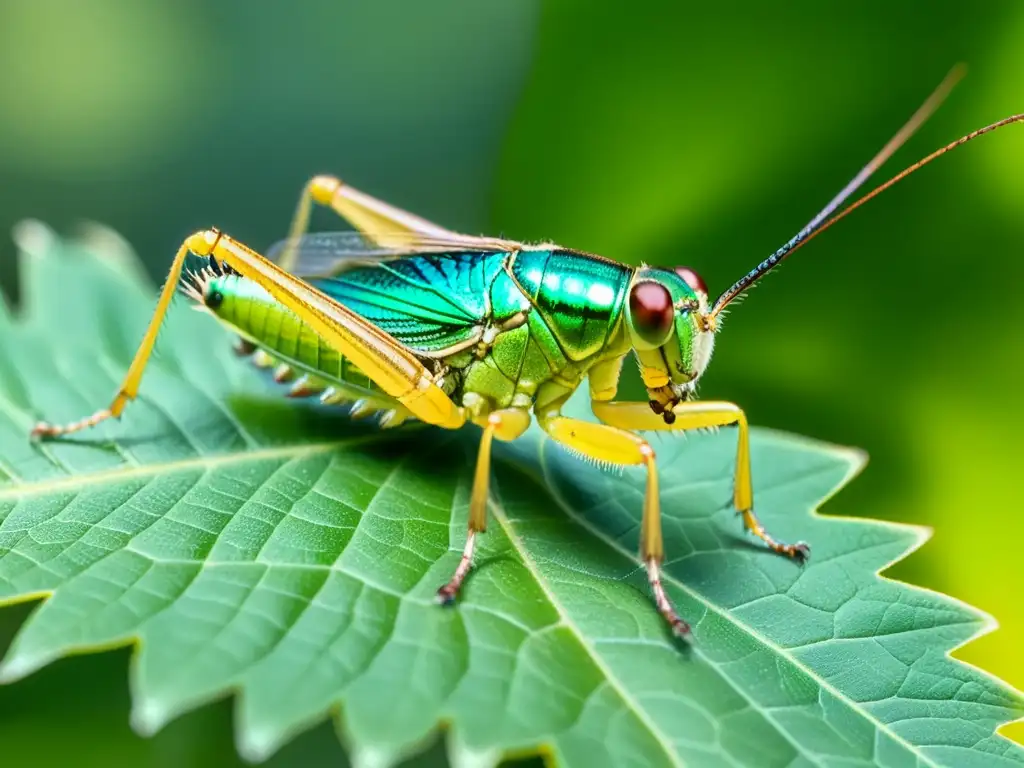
<point>822,222</point>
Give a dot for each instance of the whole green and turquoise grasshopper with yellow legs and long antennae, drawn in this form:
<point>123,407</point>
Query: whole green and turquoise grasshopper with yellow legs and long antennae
<point>414,321</point>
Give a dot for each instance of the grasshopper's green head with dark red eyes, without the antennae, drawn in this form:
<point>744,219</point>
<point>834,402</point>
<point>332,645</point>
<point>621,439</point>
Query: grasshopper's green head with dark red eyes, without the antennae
<point>668,322</point>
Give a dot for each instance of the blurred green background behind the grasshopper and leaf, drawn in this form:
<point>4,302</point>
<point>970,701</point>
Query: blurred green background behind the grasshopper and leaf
<point>669,133</point>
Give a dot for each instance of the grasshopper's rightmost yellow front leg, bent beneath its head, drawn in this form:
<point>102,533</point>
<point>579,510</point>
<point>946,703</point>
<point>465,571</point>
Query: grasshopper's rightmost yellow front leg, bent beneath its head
<point>703,414</point>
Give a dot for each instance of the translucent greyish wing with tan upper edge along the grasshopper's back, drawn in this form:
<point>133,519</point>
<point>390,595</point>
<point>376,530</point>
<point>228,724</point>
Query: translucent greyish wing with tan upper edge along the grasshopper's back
<point>329,254</point>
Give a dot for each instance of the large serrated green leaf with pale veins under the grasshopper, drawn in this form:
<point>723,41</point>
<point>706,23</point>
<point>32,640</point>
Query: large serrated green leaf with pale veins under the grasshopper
<point>253,545</point>
